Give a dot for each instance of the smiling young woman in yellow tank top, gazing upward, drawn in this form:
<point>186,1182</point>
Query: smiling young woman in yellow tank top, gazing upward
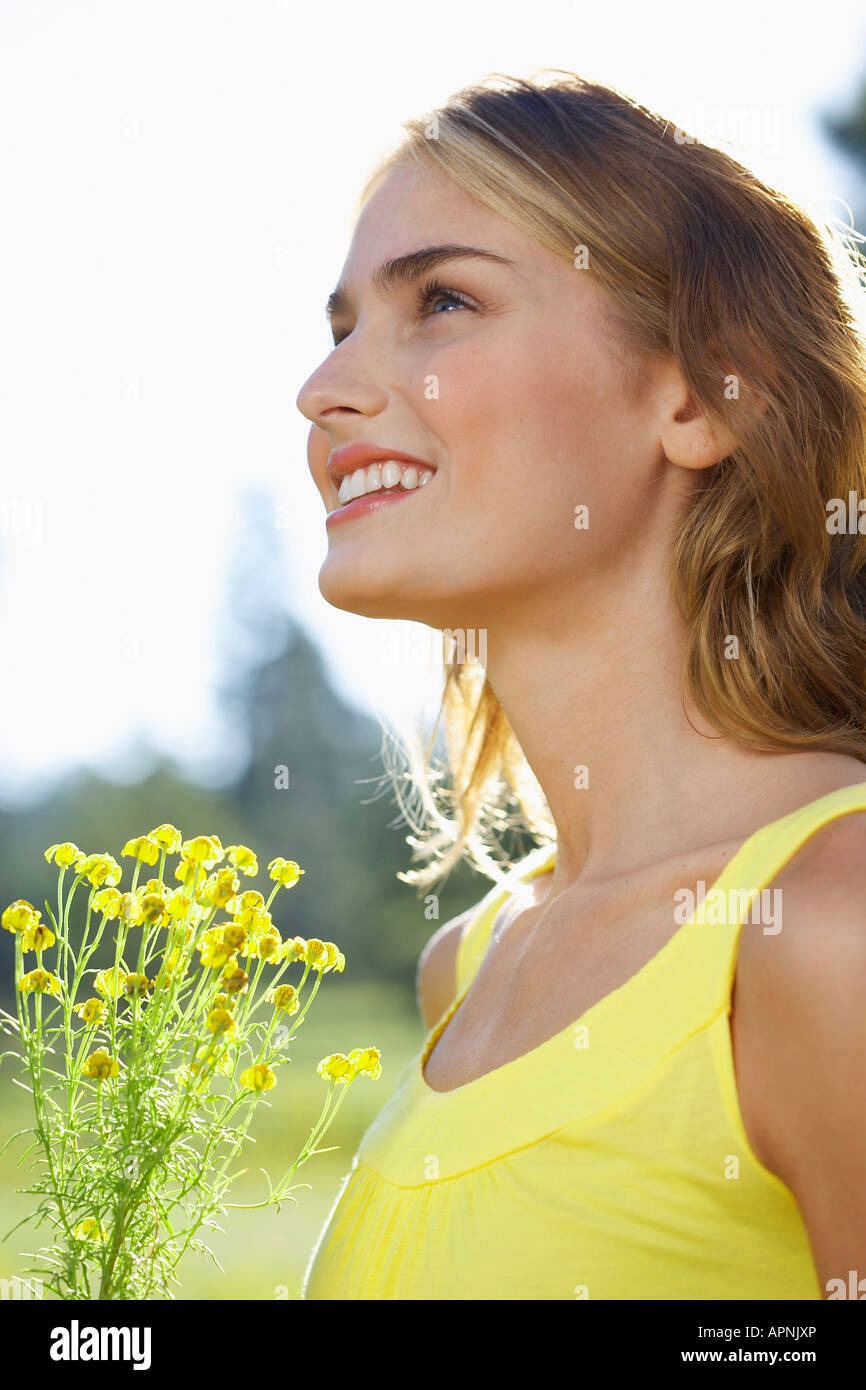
<point>597,400</point>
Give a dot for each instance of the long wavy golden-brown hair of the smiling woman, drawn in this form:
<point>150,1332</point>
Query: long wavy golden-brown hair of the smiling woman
<point>762,309</point>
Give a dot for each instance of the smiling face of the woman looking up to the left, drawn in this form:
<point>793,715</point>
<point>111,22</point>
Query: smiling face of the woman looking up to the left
<point>511,393</point>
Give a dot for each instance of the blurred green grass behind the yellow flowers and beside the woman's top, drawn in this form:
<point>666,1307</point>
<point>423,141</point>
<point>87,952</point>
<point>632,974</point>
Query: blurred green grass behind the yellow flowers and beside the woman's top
<point>261,1252</point>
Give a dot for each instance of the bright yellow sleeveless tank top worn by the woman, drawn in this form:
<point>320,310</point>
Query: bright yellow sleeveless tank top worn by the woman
<point>608,1163</point>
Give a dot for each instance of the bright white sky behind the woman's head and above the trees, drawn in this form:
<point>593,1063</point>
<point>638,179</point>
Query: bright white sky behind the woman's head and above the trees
<point>180,180</point>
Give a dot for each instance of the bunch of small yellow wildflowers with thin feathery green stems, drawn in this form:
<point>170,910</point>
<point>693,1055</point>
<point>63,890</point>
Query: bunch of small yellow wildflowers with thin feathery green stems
<point>147,1075</point>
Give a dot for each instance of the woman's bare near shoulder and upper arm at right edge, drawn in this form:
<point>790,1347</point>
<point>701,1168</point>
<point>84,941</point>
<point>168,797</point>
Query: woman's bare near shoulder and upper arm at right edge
<point>801,1015</point>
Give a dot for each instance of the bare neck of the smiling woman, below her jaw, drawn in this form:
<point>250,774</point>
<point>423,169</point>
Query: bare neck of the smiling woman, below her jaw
<point>601,689</point>
